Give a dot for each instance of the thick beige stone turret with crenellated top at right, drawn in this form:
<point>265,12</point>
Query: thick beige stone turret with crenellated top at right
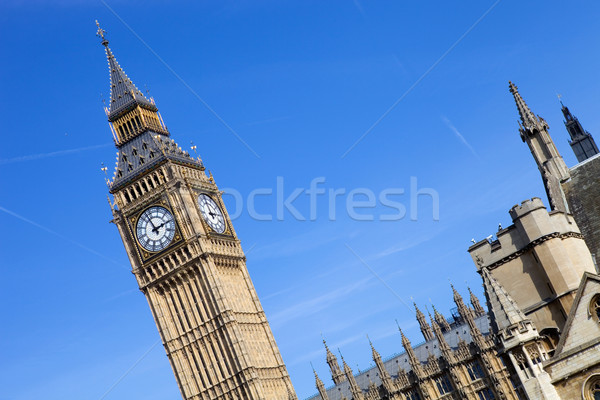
<point>539,259</point>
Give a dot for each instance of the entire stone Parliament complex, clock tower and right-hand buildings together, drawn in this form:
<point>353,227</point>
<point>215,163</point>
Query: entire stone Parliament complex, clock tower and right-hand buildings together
<point>538,339</point>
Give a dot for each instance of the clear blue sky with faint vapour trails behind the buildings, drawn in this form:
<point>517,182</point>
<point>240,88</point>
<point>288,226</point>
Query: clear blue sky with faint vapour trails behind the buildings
<point>300,83</point>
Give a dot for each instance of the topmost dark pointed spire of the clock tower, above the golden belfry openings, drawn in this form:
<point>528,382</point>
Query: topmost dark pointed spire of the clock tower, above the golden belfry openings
<point>124,95</point>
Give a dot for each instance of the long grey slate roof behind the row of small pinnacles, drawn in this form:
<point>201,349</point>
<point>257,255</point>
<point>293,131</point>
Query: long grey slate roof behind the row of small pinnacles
<point>422,351</point>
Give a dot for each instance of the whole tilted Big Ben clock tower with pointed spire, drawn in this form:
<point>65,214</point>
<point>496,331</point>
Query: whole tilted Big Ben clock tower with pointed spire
<point>187,259</point>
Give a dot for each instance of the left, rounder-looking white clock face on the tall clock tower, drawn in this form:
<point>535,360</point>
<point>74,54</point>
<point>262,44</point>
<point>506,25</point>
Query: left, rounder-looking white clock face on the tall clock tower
<point>155,228</point>
